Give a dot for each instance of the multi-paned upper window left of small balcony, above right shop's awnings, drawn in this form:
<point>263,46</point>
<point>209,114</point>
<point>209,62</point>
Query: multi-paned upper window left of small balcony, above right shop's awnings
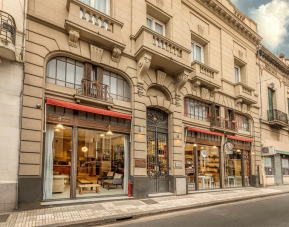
<point>196,109</point>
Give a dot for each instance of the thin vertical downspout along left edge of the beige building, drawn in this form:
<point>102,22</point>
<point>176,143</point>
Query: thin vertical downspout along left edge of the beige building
<point>21,101</point>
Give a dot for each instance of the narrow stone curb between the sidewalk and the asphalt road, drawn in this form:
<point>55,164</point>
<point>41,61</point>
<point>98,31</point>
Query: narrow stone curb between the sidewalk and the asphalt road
<point>115,218</point>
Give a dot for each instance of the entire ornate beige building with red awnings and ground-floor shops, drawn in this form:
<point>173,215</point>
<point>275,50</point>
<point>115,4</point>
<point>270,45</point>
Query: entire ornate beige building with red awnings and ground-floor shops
<point>147,91</point>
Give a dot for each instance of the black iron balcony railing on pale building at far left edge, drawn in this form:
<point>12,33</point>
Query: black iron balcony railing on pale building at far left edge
<point>7,27</point>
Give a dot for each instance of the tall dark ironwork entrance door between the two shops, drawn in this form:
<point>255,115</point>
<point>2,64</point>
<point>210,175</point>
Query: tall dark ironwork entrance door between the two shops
<point>157,151</point>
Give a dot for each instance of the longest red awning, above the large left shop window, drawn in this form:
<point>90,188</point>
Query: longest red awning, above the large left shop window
<point>89,109</point>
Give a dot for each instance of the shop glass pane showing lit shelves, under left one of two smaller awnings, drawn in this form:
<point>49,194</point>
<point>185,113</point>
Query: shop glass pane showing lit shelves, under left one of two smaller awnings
<point>208,167</point>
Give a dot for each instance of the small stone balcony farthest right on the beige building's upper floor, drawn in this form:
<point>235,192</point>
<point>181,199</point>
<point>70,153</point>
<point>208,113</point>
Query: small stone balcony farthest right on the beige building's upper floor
<point>245,93</point>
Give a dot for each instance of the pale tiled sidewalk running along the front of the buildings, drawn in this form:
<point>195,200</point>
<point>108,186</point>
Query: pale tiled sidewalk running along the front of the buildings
<point>98,213</point>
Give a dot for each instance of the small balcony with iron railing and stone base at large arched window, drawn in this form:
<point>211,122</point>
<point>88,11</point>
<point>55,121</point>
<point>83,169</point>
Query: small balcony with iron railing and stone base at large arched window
<point>93,92</point>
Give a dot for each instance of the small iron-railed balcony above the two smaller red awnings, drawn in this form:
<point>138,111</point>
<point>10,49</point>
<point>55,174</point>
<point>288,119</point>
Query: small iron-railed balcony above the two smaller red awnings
<point>222,124</point>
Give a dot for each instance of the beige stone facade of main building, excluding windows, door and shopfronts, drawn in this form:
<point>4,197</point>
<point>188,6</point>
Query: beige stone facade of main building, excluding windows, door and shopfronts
<point>158,69</point>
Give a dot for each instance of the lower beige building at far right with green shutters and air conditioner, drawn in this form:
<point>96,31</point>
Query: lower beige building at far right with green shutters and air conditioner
<point>274,116</point>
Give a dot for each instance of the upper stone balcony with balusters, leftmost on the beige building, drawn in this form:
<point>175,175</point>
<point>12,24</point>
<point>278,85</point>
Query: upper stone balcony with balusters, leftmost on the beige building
<point>93,25</point>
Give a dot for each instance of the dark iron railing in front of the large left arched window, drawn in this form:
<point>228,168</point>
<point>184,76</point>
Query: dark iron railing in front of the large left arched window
<point>95,90</point>
